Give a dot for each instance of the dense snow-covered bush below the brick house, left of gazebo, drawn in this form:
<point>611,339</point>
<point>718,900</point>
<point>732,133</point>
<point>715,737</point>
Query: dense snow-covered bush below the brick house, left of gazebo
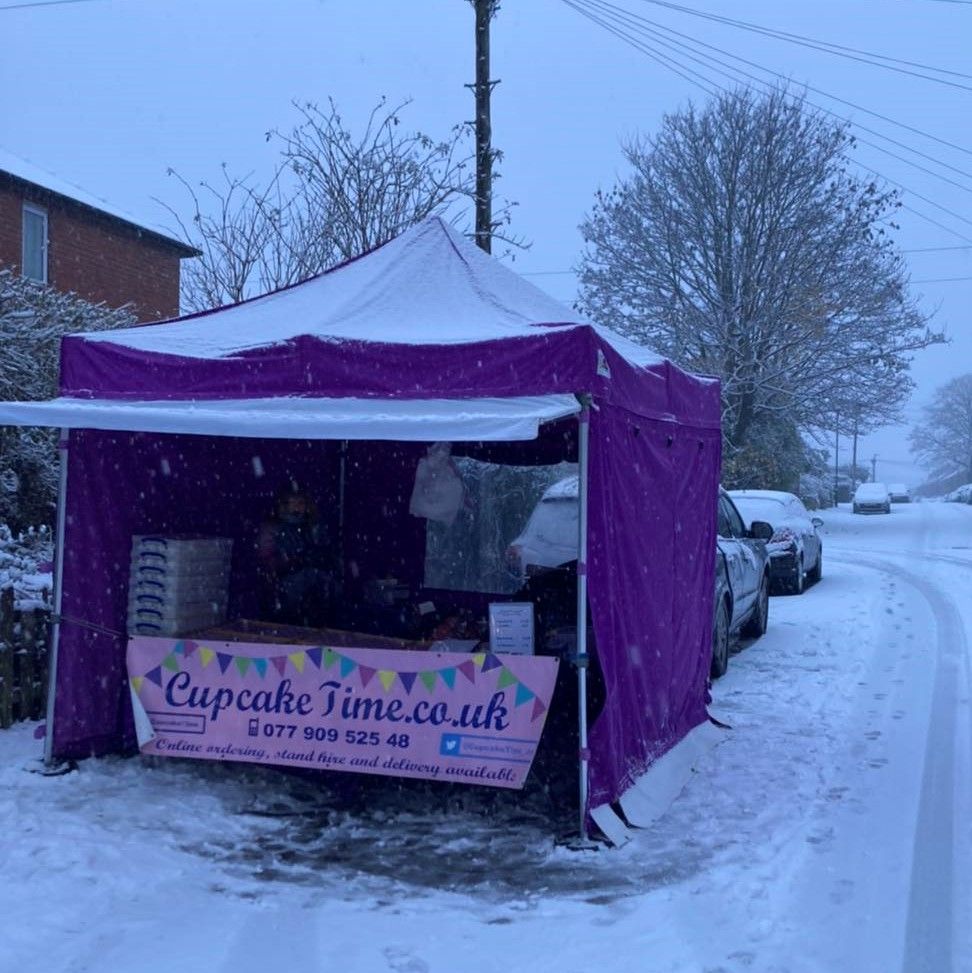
<point>33,319</point>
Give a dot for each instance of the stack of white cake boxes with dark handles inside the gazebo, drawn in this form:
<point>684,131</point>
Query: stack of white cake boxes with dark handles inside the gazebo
<point>179,583</point>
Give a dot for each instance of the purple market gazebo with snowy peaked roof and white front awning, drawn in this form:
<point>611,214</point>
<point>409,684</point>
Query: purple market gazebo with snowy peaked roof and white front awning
<point>351,374</point>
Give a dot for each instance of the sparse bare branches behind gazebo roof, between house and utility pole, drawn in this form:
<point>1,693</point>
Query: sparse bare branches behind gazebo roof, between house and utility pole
<point>331,196</point>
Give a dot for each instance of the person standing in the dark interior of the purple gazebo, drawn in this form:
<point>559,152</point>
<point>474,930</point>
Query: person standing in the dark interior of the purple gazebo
<point>297,566</point>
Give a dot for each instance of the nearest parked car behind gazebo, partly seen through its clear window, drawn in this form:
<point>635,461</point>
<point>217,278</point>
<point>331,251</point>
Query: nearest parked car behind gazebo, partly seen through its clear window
<point>741,598</point>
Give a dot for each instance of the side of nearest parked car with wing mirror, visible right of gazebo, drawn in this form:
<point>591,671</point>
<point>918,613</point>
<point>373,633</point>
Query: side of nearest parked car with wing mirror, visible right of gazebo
<point>741,606</point>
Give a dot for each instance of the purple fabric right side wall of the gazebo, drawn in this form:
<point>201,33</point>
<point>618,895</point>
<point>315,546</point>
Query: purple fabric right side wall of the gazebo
<point>652,558</point>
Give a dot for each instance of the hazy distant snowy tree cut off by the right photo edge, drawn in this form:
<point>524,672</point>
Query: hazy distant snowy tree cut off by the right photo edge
<point>942,440</point>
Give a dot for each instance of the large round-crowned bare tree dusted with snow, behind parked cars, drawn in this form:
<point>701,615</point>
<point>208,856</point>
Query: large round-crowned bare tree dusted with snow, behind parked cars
<point>742,246</point>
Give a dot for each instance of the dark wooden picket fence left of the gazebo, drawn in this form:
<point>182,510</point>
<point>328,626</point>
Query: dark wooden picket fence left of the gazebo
<point>24,637</point>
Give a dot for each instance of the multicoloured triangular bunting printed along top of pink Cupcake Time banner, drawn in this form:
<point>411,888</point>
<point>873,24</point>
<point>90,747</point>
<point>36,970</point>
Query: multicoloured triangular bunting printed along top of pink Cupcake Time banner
<point>323,657</point>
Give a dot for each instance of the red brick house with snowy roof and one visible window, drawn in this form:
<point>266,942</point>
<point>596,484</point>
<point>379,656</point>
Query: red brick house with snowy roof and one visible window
<point>60,235</point>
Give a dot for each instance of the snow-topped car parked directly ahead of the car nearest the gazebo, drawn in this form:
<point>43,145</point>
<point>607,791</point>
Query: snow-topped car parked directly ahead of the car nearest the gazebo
<point>795,550</point>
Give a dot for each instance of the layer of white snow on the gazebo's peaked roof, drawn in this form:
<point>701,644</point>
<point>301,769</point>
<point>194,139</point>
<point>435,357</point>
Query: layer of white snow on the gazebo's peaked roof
<point>428,286</point>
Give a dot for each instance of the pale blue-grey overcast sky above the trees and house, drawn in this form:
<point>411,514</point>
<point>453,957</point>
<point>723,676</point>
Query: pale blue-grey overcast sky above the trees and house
<point>110,93</point>
